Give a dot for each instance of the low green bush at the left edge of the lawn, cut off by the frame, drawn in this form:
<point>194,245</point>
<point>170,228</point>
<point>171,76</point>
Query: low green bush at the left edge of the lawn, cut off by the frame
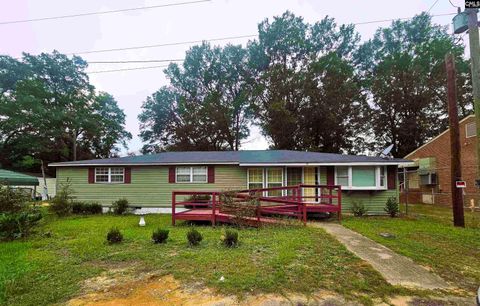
<point>18,225</point>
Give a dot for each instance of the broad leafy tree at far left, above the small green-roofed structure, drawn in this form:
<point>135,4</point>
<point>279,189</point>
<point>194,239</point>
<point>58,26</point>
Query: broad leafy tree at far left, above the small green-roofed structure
<point>49,111</point>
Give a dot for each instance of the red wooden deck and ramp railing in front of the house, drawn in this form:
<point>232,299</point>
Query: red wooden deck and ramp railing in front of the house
<point>294,201</point>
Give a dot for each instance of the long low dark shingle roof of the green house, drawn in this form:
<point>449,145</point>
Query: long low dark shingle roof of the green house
<point>241,158</point>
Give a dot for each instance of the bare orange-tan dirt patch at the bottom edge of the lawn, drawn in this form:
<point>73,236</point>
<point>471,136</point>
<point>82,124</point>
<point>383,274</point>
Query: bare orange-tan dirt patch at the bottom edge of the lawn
<point>119,287</point>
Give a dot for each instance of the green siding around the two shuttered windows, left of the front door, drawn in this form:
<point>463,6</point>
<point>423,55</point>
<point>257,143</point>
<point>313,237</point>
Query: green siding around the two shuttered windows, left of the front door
<point>149,186</point>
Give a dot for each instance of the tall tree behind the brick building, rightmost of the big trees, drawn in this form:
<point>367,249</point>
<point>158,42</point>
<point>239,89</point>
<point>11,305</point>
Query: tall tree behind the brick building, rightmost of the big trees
<point>404,74</point>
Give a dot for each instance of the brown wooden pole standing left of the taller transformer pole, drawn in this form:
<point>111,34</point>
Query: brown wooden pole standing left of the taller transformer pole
<point>456,170</point>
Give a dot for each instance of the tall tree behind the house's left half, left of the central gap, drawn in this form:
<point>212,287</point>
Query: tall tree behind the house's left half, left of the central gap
<point>206,105</point>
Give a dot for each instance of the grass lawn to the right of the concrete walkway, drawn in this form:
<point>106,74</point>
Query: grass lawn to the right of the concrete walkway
<point>428,237</point>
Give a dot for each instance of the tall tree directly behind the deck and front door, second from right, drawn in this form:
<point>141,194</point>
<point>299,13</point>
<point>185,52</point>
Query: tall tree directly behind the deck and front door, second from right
<point>308,96</point>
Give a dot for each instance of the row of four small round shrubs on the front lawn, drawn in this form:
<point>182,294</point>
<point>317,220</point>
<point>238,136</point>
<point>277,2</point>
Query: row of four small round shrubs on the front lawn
<point>194,237</point>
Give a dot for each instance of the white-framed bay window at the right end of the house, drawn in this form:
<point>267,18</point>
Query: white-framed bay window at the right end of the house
<point>361,177</point>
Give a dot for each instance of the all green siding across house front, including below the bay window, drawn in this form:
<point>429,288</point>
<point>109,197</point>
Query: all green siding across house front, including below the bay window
<point>150,187</point>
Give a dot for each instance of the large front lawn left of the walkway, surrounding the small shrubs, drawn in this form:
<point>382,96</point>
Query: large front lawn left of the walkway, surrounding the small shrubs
<point>47,270</point>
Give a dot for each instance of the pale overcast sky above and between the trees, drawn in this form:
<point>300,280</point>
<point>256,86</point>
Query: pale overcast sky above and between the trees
<point>169,24</point>
